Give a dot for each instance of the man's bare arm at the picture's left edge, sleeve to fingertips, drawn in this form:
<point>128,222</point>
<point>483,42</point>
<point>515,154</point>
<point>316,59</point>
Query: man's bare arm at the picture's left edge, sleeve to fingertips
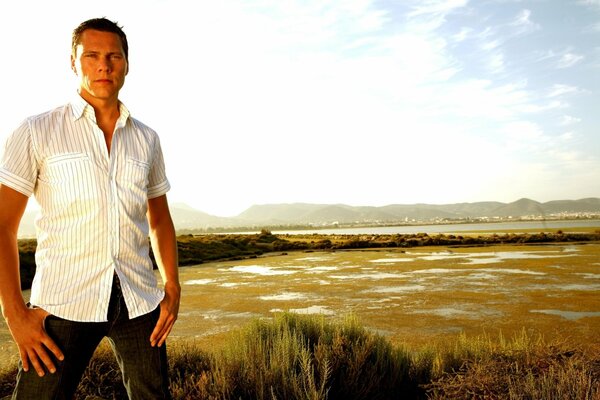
<point>26,326</point>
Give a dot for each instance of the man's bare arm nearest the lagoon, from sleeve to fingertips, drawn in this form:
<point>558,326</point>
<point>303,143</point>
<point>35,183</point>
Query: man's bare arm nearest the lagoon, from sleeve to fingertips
<point>164,245</point>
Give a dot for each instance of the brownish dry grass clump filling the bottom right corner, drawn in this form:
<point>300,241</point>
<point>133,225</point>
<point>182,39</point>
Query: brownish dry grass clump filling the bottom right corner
<point>521,369</point>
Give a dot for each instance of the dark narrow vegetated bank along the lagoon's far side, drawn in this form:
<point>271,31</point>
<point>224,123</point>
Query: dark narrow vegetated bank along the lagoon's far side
<point>198,249</point>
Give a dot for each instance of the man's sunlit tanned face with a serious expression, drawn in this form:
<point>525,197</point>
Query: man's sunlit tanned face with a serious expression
<point>100,64</point>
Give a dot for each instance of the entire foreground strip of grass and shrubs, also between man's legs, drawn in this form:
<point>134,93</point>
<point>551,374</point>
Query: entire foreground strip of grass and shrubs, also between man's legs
<point>306,357</point>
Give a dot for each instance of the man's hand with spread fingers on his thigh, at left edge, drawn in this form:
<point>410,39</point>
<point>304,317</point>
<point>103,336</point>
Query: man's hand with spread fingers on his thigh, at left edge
<point>35,346</point>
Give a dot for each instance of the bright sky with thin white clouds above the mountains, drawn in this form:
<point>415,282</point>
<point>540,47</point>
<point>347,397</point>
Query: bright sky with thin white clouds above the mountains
<point>359,102</point>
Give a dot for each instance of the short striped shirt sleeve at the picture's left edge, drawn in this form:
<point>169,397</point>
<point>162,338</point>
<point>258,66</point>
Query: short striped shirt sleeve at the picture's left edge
<point>18,165</point>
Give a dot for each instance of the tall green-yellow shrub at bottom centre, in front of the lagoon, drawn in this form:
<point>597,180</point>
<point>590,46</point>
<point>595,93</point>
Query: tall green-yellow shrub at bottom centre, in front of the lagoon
<point>303,357</point>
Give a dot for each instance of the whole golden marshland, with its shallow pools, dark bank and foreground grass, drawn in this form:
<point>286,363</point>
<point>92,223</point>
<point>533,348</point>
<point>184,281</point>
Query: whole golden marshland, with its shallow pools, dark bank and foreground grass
<point>506,316</point>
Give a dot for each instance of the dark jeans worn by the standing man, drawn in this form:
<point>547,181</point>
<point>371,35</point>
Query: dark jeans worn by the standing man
<point>144,368</point>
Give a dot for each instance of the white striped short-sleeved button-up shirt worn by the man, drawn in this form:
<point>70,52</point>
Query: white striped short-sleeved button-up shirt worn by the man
<point>93,208</point>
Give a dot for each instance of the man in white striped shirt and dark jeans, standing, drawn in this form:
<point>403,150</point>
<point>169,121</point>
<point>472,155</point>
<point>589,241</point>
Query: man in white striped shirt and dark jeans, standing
<point>99,177</point>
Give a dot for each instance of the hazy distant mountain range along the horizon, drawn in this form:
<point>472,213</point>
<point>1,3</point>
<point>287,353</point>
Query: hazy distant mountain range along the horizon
<point>303,214</point>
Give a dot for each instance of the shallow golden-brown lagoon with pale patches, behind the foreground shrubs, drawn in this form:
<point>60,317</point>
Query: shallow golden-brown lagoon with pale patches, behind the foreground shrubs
<point>413,296</point>
